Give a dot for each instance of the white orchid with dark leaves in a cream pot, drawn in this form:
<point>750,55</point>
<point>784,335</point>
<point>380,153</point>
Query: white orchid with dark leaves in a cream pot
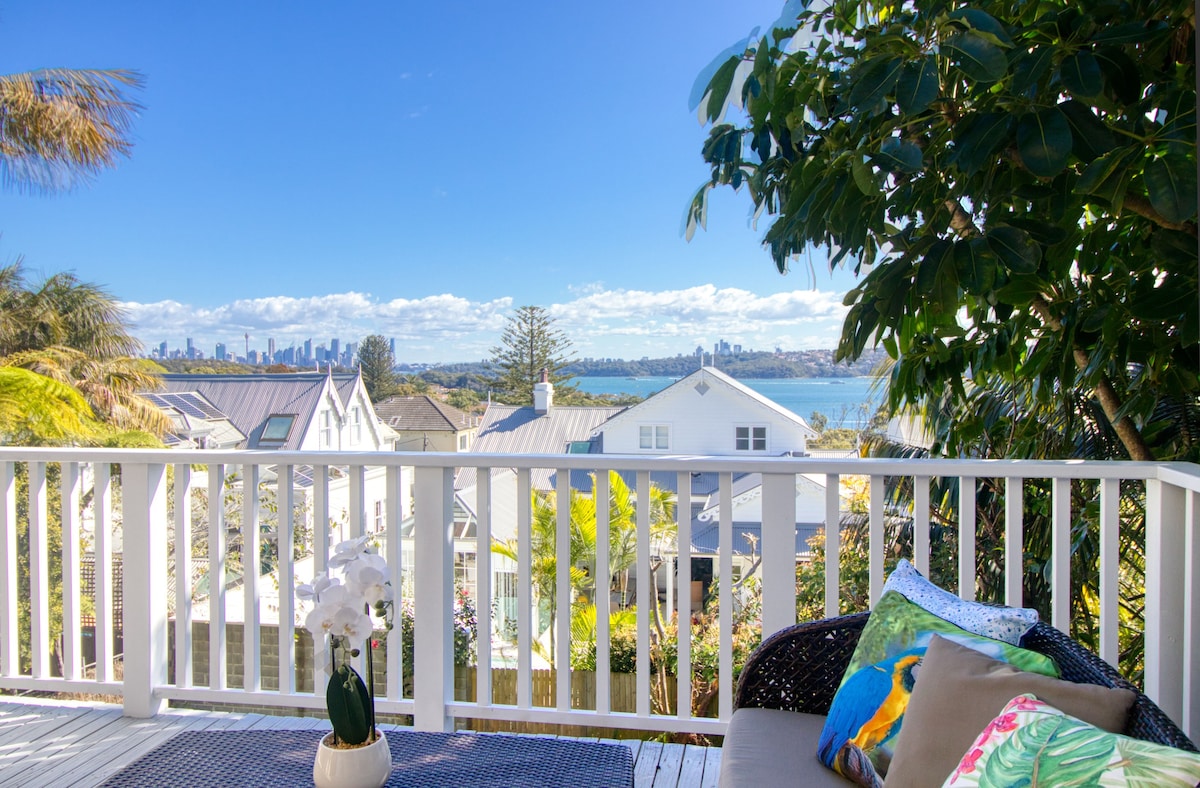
<point>356,755</point>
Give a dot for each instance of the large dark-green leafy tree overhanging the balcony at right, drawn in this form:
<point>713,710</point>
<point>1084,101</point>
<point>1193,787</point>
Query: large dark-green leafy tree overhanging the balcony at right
<point>1017,185</point>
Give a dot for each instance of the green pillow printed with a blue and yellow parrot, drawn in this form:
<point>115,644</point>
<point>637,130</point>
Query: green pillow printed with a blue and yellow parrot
<point>866,717</point>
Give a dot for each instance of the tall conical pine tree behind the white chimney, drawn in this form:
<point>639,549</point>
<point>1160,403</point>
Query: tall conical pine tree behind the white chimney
<point>531,344</point>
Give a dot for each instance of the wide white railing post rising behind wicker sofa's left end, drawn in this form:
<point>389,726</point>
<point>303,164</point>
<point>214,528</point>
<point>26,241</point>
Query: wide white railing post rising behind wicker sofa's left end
<point>778,552</point>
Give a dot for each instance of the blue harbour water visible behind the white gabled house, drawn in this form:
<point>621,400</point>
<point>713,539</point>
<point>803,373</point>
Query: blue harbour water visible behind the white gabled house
<point>845,402</point>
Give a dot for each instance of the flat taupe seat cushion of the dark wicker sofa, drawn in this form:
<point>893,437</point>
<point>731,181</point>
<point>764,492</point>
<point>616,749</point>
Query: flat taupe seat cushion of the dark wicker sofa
<point>769,748</point>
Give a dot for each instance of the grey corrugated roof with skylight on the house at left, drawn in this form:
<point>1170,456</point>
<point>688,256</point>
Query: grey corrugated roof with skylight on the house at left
<point>250,400</point>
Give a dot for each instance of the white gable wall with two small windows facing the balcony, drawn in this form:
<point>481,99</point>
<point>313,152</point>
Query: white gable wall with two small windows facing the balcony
<point>703,413</point>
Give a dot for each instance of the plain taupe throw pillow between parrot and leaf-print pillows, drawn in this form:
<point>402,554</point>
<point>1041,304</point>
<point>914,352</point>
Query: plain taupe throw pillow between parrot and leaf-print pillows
<point>959,691</point>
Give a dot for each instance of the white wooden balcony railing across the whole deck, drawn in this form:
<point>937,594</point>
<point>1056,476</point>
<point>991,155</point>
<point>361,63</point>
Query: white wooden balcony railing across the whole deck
<point>130,514</point>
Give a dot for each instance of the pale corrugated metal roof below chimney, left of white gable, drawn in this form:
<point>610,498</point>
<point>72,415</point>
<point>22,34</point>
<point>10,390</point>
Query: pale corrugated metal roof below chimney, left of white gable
<point>508,430</point>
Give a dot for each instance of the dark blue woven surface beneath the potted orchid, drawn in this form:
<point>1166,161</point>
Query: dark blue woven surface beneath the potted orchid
<point>284,759</point>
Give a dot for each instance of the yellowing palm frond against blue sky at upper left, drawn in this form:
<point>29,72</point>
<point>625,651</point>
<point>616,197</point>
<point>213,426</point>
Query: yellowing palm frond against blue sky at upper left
<point>62,127</point>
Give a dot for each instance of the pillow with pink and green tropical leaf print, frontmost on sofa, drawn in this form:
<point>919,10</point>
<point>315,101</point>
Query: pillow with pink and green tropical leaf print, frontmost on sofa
<point>1033,738</point>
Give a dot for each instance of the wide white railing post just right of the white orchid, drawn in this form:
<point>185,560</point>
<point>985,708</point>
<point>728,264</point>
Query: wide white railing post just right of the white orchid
<point>434,609</point>
